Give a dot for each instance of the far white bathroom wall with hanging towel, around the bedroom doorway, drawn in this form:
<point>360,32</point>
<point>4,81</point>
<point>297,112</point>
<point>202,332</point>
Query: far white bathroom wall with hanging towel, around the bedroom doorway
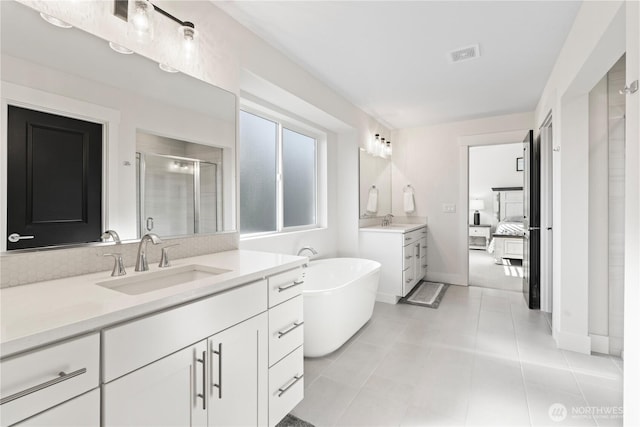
<point>428,158</point>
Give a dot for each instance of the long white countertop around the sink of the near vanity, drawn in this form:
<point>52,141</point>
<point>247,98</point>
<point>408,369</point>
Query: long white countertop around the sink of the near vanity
<point>40,313</point>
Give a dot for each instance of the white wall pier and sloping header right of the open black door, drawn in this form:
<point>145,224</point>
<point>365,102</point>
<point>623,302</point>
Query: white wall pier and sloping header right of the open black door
<point>595,43</point>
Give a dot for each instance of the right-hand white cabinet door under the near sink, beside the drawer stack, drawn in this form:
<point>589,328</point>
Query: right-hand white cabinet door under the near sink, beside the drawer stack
<point>238,374</point>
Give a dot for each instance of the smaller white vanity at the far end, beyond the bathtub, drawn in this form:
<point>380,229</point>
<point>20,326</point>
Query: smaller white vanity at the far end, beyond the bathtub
<point>402,251</point>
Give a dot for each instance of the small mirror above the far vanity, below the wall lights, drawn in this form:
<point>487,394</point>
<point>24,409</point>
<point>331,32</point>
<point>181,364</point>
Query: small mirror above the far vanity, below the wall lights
<point>375,186</point>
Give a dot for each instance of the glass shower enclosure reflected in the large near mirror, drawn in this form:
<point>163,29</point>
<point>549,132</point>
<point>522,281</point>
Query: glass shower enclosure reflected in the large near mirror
<point>178,195</point>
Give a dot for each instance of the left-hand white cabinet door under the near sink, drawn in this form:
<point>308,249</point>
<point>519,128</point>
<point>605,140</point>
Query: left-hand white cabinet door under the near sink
<point>168,392</point>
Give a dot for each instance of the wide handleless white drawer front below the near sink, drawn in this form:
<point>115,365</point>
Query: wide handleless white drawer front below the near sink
<point>137,343</point>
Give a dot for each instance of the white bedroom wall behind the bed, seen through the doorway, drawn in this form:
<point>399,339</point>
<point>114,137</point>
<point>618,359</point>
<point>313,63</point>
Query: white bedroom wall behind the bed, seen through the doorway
<point>492,166</point>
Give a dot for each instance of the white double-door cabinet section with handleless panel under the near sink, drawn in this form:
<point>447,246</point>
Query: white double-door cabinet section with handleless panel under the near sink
<point>217,381</point>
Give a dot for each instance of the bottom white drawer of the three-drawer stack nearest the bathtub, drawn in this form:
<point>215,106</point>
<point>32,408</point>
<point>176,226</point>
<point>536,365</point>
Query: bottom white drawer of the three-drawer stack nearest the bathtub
<point>286,386</point>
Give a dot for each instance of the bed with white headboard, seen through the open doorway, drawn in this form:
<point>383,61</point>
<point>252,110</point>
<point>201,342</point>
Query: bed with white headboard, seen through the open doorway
<point>507,240</point>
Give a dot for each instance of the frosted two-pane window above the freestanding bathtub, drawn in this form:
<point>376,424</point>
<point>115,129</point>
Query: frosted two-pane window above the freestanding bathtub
<point>278,176</point>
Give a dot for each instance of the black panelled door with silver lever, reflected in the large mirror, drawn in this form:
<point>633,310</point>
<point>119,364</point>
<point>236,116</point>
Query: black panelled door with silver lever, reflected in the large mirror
<point>54,180</point>
